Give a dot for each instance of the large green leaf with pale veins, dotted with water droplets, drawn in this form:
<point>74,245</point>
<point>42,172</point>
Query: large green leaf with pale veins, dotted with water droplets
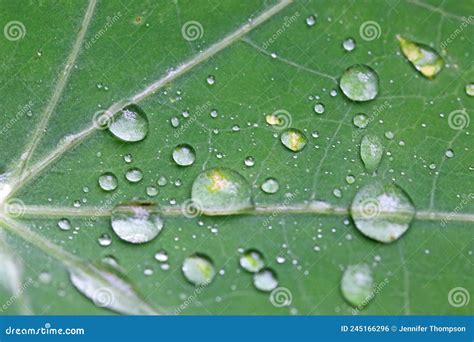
<point>228,79</point>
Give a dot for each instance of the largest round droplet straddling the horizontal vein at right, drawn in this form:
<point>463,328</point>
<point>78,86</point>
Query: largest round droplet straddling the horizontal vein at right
<point>382,212</point>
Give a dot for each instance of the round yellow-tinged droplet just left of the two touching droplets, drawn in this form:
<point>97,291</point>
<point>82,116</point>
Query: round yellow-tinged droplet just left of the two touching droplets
<point>198,269</point>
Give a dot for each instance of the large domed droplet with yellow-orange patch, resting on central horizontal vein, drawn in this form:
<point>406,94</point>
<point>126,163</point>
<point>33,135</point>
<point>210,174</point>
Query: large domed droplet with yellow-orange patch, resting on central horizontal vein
<point>221,191</point>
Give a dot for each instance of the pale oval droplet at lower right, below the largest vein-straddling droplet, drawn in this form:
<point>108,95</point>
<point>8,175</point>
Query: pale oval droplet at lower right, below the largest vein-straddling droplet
<point>357,285</point>
